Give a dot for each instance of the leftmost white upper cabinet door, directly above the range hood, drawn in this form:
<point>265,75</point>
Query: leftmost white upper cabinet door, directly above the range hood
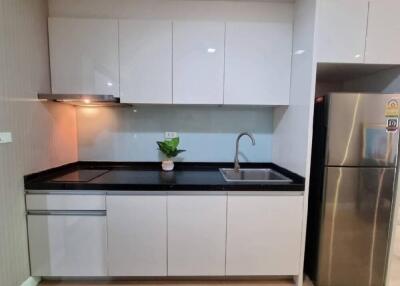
<point>84,56</point>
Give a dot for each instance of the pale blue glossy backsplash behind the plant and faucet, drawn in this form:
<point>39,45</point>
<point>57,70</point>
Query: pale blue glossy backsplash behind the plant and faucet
<point>208,133</point>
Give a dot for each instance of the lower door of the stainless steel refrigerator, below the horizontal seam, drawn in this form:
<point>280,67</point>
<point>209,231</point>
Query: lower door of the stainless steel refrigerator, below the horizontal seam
<point>355,223</point>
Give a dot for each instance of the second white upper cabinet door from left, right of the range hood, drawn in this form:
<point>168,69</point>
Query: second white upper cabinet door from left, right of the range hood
<point>145,61</point>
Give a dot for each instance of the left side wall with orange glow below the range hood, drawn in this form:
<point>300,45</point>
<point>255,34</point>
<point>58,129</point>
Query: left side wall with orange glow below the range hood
<point>44,134</point>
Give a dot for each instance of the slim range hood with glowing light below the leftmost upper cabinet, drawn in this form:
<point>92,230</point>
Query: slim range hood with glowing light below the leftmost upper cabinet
<point>82,99</point>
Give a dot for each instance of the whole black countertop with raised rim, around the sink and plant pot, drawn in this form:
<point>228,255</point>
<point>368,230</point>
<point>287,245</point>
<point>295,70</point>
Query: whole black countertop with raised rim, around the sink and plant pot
<point>147,176</point>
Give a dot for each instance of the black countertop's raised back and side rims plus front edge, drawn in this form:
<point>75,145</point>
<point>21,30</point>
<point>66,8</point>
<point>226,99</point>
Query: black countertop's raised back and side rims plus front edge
<point>39,182</point>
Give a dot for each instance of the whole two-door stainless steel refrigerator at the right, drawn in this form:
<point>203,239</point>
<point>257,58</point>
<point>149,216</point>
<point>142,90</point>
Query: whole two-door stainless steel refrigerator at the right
<point>352,188</point>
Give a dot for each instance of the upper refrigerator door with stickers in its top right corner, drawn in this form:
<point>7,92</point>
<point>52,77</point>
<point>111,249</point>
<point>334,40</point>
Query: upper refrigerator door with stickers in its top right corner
<point>357,129</point>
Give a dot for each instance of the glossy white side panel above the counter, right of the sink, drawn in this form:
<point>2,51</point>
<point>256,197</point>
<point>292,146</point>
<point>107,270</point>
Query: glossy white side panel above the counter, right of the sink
<point>292,125</point>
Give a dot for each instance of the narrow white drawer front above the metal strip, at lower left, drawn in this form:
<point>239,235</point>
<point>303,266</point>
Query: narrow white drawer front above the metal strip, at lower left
<point>65,202</point>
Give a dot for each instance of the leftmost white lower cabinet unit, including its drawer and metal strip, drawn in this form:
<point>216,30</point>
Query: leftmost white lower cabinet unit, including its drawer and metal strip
<point>67,234</point>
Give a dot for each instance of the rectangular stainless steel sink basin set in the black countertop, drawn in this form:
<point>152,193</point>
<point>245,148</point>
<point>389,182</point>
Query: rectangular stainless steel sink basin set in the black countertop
<point>254,176</point>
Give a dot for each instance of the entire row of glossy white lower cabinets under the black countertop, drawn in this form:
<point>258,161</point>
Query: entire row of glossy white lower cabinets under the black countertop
<point>160,234</point>
